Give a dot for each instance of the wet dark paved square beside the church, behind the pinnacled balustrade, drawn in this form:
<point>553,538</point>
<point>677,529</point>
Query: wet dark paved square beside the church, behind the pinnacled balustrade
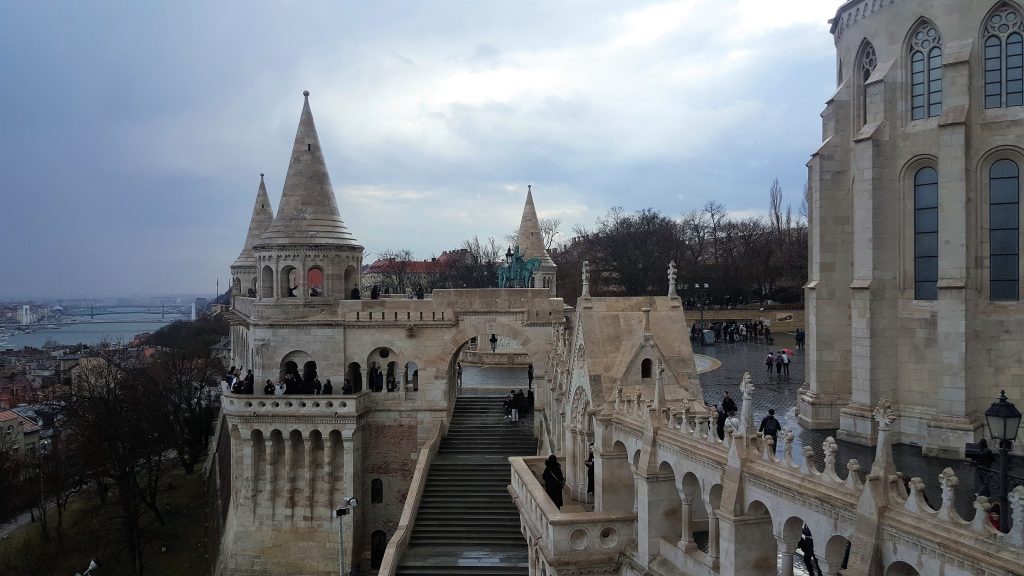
<point>780,393</point>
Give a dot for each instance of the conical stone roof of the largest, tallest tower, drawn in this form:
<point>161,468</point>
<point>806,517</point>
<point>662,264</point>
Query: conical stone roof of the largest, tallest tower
<point>309,213</point>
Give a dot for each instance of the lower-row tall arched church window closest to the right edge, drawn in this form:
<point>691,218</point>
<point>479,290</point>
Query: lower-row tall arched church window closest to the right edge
<point>1004,228</point>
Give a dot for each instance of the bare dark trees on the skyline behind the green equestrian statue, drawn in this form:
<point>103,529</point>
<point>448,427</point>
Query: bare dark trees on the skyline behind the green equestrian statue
<point>742,260</point>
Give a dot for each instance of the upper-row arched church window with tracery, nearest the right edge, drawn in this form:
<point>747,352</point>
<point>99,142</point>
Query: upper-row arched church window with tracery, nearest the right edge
<point>1004,59</point>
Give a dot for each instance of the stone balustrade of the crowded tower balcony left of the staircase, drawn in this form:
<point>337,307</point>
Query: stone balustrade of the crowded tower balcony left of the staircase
<point>294,405</point>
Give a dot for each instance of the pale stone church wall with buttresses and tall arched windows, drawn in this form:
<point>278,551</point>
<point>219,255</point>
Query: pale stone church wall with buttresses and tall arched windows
<point>914,291</point>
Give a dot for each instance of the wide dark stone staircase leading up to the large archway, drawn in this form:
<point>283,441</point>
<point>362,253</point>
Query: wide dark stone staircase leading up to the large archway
<point>467,523</point>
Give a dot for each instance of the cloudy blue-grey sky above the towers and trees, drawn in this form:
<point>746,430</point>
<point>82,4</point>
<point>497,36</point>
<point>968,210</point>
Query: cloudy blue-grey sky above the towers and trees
<point>133,135</point>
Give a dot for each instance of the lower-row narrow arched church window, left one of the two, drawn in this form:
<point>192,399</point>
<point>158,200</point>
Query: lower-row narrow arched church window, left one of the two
<point>926,234</point>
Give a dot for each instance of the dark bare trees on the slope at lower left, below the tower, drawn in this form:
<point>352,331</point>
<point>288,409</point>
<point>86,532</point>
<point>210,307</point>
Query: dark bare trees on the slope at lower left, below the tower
<point>122,423</point>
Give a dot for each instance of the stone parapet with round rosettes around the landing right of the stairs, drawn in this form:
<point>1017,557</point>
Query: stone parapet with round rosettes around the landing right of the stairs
<point>572,539</point>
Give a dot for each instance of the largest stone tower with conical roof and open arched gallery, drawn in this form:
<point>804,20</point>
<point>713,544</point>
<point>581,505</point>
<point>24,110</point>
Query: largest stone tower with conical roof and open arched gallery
<point>307,256</point>
